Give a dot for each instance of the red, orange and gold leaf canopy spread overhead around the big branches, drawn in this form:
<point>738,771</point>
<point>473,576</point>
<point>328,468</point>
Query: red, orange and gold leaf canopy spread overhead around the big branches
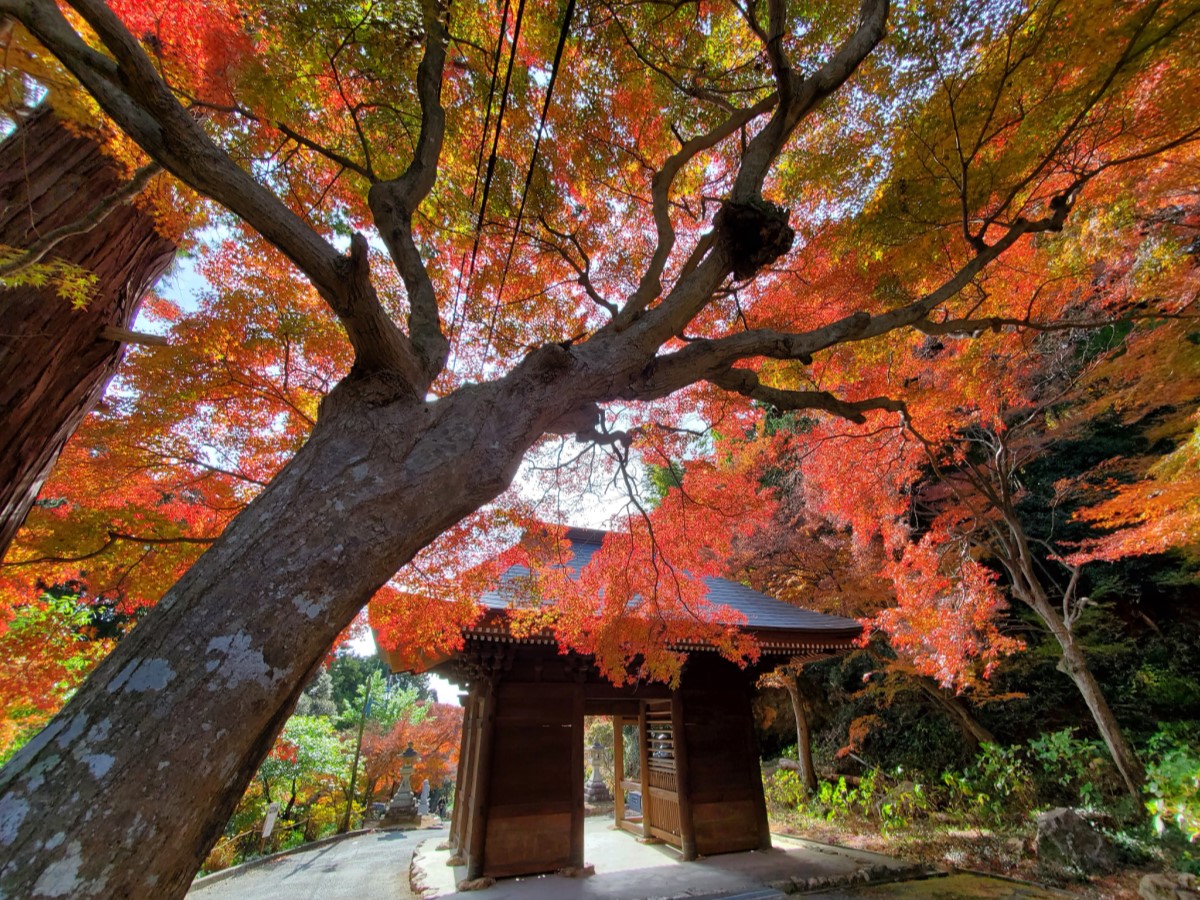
<point>967,128</point>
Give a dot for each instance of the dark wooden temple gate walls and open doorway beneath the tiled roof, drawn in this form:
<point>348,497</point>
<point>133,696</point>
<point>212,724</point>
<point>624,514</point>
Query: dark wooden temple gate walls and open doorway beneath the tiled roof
<point>520,793</point>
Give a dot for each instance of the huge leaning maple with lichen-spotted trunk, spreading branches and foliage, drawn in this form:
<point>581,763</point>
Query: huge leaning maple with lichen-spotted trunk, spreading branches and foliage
<point>634,259</point>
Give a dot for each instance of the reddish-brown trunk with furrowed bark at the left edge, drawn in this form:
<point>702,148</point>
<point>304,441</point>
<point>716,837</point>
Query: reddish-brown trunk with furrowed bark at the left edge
<point>55,364</point>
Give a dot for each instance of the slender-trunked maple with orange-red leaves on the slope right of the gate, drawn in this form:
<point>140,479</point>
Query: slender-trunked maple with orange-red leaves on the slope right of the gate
<point>947,604</point>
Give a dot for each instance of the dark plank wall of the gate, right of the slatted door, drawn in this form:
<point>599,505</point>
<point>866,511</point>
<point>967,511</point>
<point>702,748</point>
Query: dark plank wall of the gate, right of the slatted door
<point>724,781</point>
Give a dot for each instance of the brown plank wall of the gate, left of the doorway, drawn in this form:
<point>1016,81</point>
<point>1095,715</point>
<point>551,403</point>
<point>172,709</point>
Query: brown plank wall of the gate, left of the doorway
<point>536,797</point>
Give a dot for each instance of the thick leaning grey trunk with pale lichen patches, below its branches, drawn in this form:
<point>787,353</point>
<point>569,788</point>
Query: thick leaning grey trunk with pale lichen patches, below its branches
<point>128,789</point>
